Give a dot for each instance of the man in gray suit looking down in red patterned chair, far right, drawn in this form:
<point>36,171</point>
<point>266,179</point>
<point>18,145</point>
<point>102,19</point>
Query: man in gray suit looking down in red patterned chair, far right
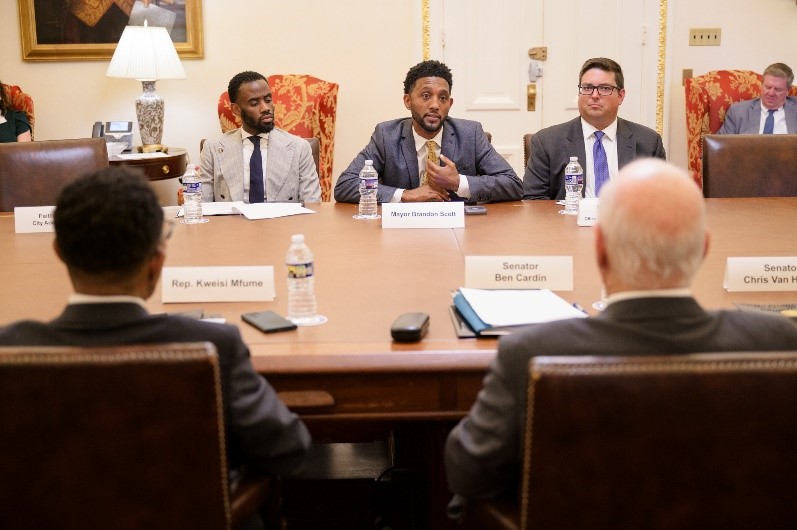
<point>775,112</point>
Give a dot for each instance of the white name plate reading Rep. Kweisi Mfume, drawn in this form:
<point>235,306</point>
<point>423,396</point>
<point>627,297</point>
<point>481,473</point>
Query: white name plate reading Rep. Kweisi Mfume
<point>217,284</point>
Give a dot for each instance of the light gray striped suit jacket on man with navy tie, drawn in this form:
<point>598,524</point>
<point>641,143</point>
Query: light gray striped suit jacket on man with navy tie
<point>290,171</point>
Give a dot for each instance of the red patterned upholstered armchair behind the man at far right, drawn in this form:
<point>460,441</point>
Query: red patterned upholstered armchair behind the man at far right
<point>708,97</point>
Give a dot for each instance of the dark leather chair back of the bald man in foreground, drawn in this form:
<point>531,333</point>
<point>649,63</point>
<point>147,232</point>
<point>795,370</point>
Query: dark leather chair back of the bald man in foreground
<point>681,441</point>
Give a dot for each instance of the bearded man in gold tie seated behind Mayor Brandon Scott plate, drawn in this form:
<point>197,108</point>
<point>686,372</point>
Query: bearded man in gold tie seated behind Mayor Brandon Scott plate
<point>468,169</point>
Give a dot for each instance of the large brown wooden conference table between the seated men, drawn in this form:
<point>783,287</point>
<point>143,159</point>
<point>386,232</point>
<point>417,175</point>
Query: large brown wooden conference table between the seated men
<point>366,276</point>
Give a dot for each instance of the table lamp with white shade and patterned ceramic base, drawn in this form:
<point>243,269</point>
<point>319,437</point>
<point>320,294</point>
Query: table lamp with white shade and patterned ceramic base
<point>146,53</point>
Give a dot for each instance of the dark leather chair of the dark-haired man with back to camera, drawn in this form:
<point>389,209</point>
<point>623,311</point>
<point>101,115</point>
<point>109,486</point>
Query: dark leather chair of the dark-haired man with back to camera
<point>116,437</point>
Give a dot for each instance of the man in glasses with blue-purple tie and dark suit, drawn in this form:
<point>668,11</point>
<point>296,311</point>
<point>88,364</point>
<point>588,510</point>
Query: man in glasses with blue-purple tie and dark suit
<point>597,134</point>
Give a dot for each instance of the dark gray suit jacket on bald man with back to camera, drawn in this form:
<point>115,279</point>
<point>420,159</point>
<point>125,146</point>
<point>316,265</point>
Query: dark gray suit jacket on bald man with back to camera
<point>483,453</point>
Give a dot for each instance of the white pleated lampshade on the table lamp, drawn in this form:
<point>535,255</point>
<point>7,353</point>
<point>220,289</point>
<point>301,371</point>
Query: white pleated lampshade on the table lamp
<point>145,53</point>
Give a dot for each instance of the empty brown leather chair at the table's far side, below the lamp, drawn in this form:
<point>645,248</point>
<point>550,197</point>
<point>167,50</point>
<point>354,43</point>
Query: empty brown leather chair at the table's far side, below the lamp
<point>33,173</point>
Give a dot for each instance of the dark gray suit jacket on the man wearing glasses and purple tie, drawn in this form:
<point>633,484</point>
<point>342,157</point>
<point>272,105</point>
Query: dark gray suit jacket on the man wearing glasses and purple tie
<point>552,147</point>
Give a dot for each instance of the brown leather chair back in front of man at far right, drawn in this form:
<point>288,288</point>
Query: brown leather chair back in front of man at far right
<point>749,165</point>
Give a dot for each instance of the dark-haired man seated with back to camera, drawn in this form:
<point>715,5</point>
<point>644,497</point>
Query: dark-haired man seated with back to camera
<point>110,234</point>
